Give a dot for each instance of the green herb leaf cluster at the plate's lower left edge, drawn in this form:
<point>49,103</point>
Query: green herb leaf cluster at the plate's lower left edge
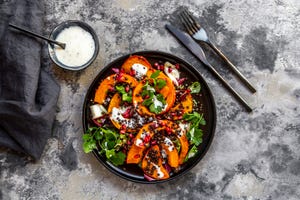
<point>110,142</point>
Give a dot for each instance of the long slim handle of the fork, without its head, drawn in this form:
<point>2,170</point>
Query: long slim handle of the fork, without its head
<point>232,67</point>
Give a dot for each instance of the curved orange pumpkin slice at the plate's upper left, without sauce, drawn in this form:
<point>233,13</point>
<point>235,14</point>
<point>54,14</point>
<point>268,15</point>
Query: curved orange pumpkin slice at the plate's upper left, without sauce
<point>110,82</point>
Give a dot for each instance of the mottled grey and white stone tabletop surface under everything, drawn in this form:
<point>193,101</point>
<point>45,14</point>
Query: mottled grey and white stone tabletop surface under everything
<point>253,156</point>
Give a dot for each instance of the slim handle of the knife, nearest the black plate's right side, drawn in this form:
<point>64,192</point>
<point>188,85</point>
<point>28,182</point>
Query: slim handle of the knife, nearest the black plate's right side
<point>226,84</point>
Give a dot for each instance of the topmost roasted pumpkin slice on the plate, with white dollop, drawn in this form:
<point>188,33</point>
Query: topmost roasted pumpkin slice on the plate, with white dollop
<point>137,66</point>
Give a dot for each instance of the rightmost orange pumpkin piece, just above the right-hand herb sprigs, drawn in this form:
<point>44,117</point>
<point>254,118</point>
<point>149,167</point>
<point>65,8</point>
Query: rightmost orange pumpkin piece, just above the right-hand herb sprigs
<point>185,106</point>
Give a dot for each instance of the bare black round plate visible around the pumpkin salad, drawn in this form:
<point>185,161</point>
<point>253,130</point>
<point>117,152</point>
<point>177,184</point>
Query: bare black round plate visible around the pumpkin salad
<point>133,172</point>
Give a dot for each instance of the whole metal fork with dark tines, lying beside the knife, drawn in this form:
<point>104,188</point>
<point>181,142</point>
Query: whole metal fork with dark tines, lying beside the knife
<point>199,34</point>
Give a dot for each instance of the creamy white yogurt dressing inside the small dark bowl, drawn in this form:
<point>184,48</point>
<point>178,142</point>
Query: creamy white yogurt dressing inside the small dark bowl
<point>80,46</point>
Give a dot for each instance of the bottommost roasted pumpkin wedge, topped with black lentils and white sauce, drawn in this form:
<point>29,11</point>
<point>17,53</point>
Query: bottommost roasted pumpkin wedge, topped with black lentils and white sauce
<point>152,164</point>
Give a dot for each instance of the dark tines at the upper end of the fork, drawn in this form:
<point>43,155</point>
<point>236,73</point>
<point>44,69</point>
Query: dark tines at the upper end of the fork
<point>189,22</point>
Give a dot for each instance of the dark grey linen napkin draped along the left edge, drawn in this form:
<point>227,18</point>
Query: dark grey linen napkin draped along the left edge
<point>28,94</point>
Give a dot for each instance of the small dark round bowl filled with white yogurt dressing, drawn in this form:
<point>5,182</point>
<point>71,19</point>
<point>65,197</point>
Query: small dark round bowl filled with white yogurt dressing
<point>82,45</point>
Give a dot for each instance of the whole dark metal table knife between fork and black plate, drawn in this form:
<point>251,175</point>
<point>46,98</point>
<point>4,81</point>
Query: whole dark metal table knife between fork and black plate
<point>198,52</point>
